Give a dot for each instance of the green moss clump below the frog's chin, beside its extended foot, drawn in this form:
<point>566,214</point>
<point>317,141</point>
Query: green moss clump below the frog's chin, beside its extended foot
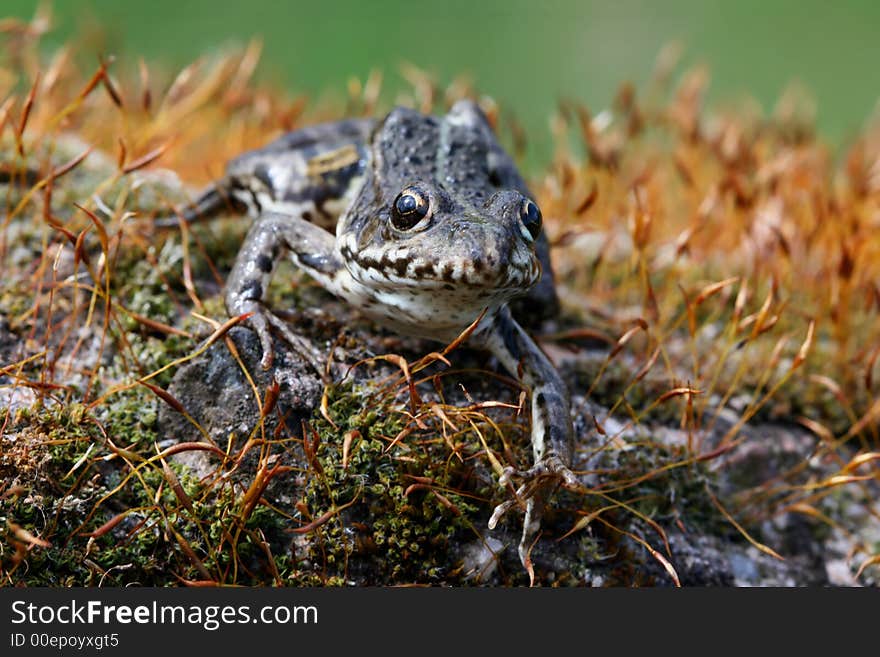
<point>394,536</point>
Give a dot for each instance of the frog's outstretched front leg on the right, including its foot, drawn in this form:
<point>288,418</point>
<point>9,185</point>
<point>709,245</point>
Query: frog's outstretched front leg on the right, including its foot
<point>552,431</point>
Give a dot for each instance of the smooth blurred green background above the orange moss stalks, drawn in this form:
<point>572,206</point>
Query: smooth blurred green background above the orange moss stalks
<point>525,54</point>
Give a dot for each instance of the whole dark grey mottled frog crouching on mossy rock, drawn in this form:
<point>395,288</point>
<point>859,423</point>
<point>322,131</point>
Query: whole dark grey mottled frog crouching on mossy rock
<point>422,223</point>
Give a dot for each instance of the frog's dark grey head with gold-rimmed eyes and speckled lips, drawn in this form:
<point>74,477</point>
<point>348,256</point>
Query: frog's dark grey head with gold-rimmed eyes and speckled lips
<point>431,216</point>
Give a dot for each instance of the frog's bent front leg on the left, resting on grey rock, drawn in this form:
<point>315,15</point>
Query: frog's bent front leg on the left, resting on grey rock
<point>312,248</point>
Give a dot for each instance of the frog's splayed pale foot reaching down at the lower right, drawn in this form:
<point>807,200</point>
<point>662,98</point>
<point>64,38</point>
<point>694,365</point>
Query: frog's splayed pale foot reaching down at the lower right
<point>535,487</point>
